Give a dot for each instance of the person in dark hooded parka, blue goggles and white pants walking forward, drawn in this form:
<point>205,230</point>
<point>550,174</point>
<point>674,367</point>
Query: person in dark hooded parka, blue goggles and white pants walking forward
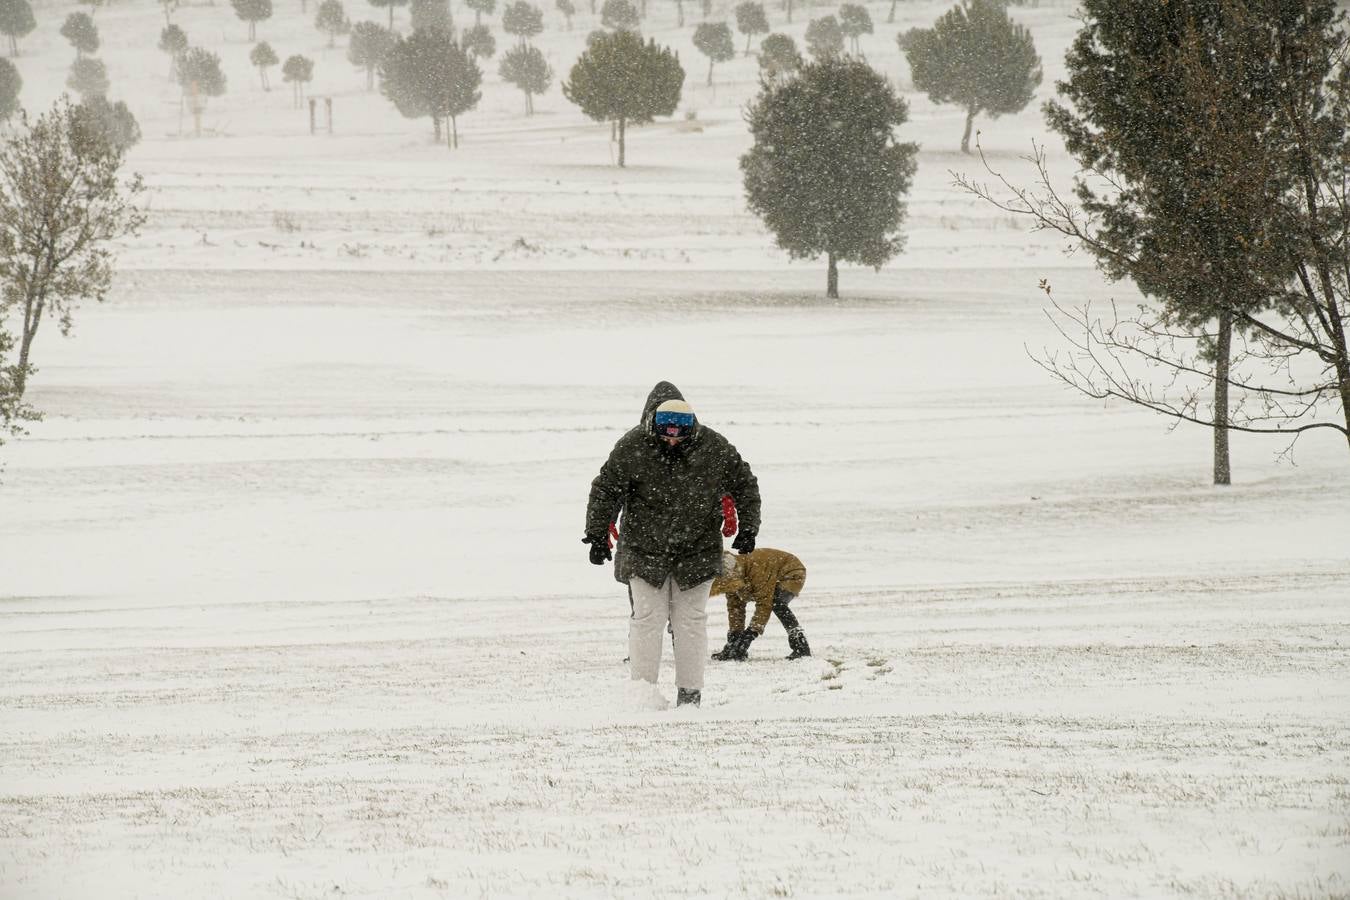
<point>668,478</point>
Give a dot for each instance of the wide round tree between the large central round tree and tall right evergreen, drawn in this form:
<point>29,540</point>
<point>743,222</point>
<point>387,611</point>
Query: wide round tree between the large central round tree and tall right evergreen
<point>978,59</point>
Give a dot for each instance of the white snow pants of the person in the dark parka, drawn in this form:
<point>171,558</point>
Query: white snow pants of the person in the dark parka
<point>688,615</point>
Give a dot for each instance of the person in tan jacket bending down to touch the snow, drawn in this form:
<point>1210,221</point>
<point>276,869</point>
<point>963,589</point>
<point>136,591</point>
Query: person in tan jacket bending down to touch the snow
<point>772,581</point>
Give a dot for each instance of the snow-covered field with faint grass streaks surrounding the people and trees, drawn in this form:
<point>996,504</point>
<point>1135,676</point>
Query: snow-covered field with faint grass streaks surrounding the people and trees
<point>292,588</point>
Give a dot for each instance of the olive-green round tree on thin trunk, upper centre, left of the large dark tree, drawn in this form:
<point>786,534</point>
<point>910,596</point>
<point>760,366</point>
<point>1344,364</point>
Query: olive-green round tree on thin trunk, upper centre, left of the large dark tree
<point>623,80</point>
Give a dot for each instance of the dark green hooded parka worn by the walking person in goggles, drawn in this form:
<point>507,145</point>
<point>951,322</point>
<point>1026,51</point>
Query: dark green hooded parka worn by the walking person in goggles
<point>672,500</point>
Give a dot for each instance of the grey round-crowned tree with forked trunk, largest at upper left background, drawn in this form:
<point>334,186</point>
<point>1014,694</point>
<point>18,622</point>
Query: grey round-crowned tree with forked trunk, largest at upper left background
<point>430,75</point>
